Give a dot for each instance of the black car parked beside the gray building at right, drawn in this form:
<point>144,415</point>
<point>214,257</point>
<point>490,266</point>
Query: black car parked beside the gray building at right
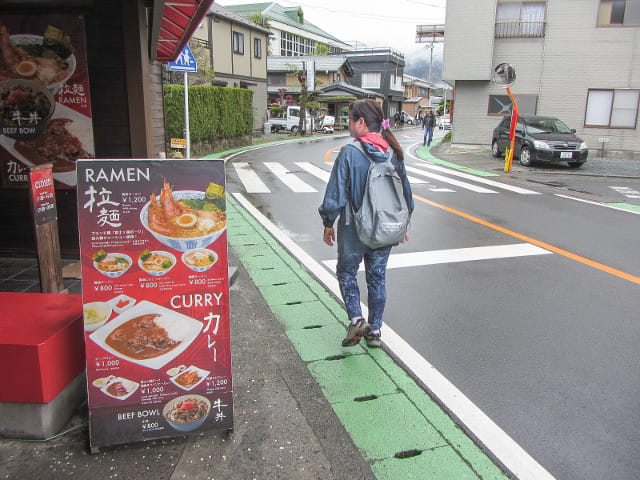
<point>538,138</point>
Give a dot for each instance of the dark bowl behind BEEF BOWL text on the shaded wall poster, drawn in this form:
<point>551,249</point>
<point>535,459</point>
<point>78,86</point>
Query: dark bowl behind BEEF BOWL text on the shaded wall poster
<point>26,108</point>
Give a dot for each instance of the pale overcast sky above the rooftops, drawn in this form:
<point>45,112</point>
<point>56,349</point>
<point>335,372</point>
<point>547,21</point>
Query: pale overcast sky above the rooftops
<point>376,23</point>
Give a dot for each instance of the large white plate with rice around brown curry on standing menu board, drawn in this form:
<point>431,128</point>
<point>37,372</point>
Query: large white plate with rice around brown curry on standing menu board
<point>189,330</point>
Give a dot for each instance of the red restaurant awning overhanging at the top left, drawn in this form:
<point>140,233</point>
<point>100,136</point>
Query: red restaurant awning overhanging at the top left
<point>174,21</point>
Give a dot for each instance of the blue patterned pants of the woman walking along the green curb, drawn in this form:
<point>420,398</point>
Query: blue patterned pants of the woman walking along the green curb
<point>351,251</point>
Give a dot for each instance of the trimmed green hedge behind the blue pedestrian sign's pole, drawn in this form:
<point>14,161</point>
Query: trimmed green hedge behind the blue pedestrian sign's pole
<point>214,112</point>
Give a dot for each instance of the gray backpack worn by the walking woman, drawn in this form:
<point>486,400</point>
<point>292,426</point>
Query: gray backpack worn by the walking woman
<point>383,218</point>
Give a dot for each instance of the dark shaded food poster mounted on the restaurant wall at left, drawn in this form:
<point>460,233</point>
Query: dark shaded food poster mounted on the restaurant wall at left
<point>45,107</point>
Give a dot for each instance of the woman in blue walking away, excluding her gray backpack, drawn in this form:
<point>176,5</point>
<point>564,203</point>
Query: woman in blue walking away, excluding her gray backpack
<point>343,196</point>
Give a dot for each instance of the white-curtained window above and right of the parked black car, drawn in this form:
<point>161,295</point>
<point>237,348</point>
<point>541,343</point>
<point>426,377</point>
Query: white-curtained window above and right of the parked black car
<point>612,108</point>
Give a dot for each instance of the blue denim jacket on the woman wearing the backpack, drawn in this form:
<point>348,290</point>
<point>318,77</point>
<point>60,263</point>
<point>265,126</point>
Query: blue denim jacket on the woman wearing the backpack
<point>348,178</point>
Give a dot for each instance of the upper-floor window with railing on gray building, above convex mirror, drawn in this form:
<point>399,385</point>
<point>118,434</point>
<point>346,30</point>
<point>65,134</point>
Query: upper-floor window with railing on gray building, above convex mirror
<point>520,19</point>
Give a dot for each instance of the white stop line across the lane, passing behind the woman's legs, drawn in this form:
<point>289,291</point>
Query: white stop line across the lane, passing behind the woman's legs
<point>435,257</point>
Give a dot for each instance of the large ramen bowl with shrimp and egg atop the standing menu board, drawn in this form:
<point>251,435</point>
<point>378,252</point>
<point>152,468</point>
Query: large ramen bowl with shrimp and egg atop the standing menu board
<point>184,220</point>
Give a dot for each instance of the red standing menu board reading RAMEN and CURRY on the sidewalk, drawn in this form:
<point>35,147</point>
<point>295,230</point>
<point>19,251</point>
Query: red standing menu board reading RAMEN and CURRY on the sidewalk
<point>155,290</point>
